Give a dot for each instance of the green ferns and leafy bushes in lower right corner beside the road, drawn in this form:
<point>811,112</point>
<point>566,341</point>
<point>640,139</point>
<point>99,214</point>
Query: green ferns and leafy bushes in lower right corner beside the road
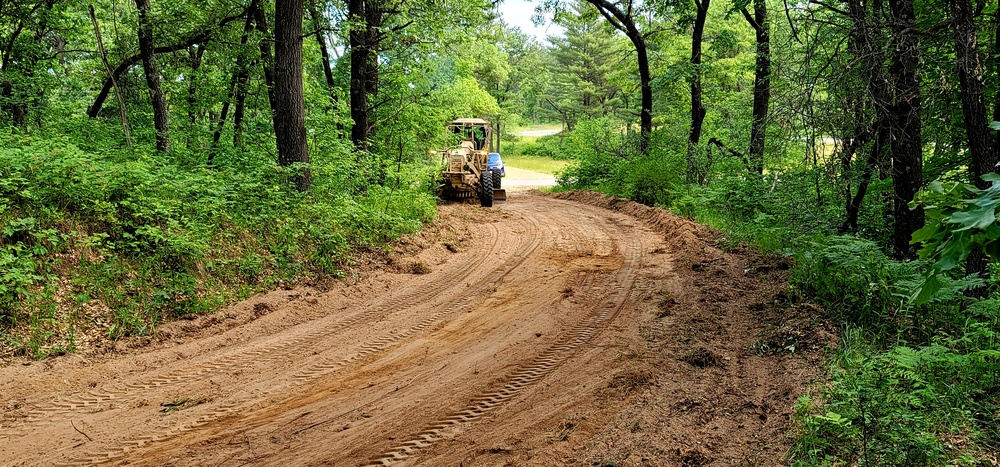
<point>907,380</point>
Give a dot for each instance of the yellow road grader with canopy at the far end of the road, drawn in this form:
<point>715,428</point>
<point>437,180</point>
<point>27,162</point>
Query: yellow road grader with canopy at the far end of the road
<point>465,173</point>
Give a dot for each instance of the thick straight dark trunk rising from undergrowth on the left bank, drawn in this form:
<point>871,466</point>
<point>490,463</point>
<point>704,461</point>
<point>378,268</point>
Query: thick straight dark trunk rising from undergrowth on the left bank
<point>289,114</point>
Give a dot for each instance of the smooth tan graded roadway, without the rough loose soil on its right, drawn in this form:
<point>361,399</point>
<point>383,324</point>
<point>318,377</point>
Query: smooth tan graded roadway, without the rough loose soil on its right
<point>499,337</point>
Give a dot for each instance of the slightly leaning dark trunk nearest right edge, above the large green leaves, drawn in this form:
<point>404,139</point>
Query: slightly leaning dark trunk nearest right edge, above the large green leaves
<point>981,143</point>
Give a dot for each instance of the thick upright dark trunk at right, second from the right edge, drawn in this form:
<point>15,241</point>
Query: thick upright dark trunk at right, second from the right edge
<point>907,147</point>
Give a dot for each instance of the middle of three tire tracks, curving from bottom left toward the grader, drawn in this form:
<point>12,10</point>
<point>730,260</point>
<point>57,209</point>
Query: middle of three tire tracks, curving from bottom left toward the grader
<point>324,367</point>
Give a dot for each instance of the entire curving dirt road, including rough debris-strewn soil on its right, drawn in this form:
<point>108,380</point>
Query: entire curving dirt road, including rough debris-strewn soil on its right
<point>542,332</point>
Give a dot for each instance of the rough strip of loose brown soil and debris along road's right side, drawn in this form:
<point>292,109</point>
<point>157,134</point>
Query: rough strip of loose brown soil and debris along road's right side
<point>731,355</point>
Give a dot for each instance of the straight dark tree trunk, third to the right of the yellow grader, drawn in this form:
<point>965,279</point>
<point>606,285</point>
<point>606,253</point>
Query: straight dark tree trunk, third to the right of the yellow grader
<point>761,84</point>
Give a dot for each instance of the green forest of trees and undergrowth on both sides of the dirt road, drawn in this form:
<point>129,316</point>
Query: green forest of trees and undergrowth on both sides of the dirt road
<point>161,159</point>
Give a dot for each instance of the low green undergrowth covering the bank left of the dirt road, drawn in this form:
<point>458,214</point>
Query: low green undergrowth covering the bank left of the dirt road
<point>120,241</point>
